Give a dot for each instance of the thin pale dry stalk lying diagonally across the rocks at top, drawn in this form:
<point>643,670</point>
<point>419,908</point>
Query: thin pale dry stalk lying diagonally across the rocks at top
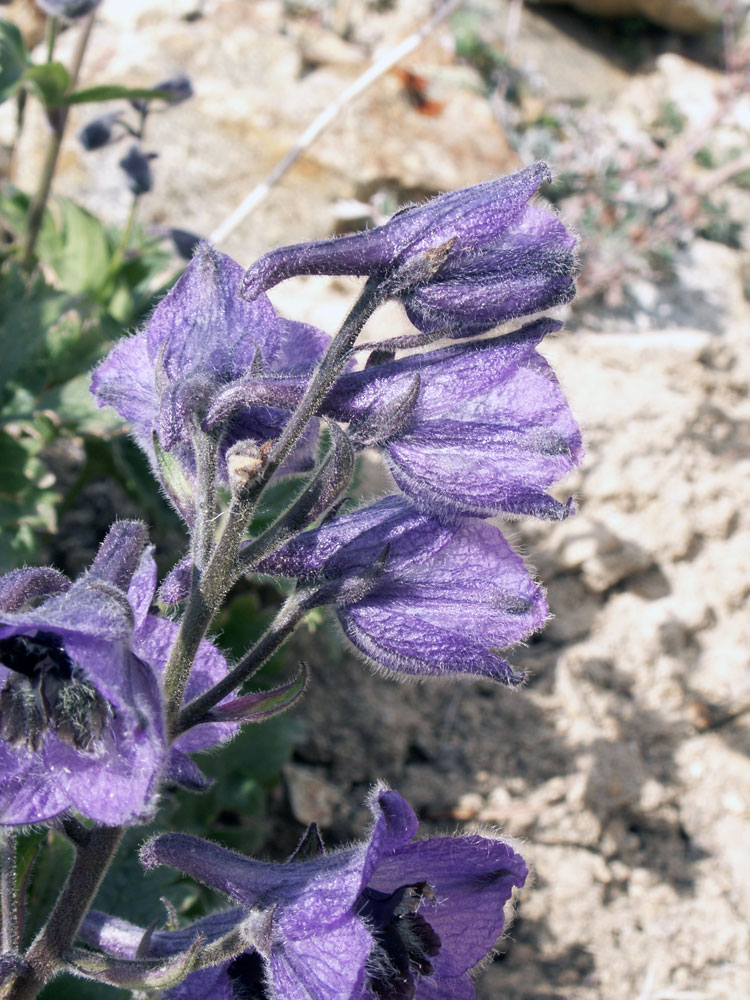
<point>325,118</point>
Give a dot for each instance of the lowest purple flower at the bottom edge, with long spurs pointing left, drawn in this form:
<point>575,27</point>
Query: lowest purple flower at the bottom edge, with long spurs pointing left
<point>388,919</point>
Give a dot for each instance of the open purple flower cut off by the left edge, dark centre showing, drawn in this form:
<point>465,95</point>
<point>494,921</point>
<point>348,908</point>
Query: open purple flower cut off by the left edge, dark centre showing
<point>81,715</point>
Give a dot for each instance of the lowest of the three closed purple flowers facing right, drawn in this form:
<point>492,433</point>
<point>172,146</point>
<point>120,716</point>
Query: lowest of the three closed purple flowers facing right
<point>418,596</point>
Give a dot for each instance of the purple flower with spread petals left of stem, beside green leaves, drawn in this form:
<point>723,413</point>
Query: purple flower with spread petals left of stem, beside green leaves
<point>201,338</point>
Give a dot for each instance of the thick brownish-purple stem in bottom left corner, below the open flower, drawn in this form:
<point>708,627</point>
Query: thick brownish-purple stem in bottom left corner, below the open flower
<point>45,956</point>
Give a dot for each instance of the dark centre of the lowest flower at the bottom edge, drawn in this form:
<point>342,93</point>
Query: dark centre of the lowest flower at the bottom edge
<point>407,942</point>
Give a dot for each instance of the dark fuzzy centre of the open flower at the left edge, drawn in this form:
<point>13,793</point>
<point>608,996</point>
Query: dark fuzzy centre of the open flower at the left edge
<point>48,691</point>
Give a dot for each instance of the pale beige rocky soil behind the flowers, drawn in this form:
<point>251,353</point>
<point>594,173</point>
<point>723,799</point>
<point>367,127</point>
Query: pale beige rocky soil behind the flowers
<point>622,768</point>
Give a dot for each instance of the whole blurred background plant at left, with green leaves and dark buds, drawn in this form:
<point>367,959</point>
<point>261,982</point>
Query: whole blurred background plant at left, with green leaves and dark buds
<point>69,285</point>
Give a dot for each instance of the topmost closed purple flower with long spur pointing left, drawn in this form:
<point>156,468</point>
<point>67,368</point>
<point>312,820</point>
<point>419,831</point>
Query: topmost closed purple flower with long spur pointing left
<point>504,257</point>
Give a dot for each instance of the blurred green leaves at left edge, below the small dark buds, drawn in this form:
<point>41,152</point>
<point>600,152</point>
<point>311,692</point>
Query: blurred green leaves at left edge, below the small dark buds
<point>51,335</point>
